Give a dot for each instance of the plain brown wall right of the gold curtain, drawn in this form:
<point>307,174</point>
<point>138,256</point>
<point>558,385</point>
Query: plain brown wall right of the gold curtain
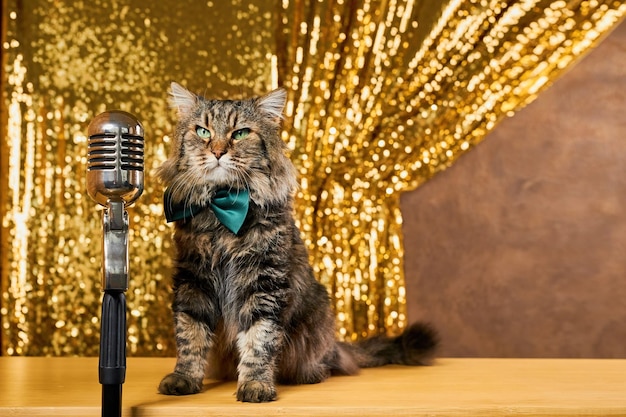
<point>519,250</point>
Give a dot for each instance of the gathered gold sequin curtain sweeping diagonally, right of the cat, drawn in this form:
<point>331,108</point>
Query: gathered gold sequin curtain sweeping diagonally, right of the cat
<point>384,94</point>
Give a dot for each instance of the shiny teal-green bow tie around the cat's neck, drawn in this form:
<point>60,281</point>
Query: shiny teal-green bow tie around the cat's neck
<point>230,208</point>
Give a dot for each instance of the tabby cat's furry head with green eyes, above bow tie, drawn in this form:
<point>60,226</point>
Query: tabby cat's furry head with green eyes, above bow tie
<point>228,144</point>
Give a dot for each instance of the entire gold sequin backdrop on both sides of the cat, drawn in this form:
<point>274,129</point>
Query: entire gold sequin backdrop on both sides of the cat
<point>382,95</point>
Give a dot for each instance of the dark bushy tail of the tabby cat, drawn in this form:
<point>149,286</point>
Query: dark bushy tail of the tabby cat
<point>417,345</point>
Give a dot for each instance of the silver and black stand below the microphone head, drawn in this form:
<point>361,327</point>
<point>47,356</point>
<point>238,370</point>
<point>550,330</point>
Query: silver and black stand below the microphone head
<point>112,368</point>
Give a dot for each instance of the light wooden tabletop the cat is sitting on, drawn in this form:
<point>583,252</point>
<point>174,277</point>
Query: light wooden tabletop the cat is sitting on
<point>452,387</point>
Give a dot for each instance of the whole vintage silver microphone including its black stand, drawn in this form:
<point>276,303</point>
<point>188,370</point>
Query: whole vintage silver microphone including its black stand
<point>115,181</point>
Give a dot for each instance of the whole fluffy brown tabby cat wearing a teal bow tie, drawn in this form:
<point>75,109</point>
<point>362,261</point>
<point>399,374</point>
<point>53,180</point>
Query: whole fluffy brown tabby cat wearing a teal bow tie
<point>246,304</point>
